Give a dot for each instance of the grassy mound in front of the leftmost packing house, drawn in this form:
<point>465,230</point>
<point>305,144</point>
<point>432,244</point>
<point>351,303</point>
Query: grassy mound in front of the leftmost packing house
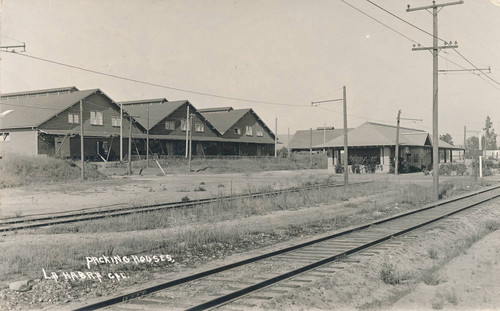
<point>18,170</point>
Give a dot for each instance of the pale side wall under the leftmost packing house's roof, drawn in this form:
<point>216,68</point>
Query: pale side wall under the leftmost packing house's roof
<point>20,142</point>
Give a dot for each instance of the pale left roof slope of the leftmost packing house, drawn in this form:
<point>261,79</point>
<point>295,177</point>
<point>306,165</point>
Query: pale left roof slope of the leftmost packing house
<point>34,111</point>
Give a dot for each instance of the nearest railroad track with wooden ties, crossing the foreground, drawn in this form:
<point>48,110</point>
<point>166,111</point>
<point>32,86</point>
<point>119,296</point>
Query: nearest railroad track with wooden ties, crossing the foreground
<point>278,271</point>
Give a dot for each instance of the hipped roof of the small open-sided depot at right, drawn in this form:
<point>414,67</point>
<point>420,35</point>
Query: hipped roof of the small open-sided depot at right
<point>376,134</point>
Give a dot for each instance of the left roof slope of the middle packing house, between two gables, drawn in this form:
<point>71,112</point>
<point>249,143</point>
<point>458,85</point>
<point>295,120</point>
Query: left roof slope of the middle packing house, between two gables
<point>159,109</point>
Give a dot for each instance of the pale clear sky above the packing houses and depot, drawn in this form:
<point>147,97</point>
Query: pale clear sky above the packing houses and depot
<point>286,52</point>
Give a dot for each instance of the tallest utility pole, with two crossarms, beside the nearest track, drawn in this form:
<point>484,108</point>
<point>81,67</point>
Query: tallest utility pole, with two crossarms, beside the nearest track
<point>435,50</point>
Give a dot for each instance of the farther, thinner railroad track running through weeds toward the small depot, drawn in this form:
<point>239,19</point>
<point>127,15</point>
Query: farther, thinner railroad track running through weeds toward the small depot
<point>43,220</point>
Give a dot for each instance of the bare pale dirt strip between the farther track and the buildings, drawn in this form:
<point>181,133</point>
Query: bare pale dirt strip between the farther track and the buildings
<point>140,190</point>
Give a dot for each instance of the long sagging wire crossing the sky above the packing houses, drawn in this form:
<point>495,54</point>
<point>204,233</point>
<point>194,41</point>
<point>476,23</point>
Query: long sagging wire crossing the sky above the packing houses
<point>155,84</point>
